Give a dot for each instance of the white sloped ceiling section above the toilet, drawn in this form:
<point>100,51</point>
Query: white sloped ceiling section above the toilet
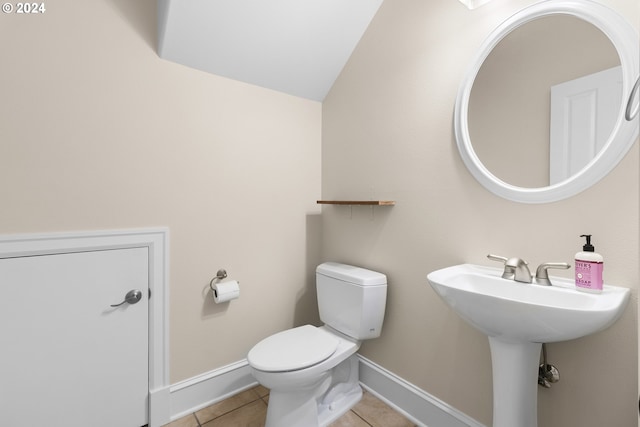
<point>294,46</point>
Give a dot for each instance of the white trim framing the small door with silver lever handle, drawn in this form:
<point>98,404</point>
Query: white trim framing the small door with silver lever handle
<point>157,241</point>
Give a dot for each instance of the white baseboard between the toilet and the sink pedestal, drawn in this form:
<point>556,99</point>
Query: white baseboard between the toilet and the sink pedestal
<point>414,403</point>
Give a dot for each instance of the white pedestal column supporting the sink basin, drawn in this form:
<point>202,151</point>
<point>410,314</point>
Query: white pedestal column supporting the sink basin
<point>515,382</point>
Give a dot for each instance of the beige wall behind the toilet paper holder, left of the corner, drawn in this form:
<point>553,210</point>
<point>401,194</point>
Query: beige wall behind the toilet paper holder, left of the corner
<point>97,132</point>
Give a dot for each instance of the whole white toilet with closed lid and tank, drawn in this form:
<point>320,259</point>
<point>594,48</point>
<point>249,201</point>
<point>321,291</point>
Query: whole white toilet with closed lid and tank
<point>312,372</point>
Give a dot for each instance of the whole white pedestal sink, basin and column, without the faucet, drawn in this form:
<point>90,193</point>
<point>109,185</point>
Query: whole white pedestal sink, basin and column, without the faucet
<point>518,318</point>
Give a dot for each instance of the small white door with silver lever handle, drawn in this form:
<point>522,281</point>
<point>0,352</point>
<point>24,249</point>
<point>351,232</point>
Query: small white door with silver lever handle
<point>66,357</point>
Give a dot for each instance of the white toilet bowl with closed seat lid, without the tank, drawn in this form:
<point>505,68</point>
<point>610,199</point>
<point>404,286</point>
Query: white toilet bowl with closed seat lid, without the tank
<point>307,391</point>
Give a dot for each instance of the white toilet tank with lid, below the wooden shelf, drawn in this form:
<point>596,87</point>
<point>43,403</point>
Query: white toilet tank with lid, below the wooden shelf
<point>351,299</point>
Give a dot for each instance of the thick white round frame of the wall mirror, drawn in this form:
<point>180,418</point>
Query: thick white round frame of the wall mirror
<point>624,38</point>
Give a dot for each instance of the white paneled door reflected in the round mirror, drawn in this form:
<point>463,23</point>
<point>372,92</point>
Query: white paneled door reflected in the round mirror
<point>583,114</point>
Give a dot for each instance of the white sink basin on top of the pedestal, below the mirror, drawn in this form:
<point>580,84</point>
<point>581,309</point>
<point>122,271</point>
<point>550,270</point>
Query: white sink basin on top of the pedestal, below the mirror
<point>514,311</point>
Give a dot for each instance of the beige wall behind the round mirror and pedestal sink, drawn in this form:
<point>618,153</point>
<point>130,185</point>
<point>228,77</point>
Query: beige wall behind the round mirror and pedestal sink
<point>388,134</point>
